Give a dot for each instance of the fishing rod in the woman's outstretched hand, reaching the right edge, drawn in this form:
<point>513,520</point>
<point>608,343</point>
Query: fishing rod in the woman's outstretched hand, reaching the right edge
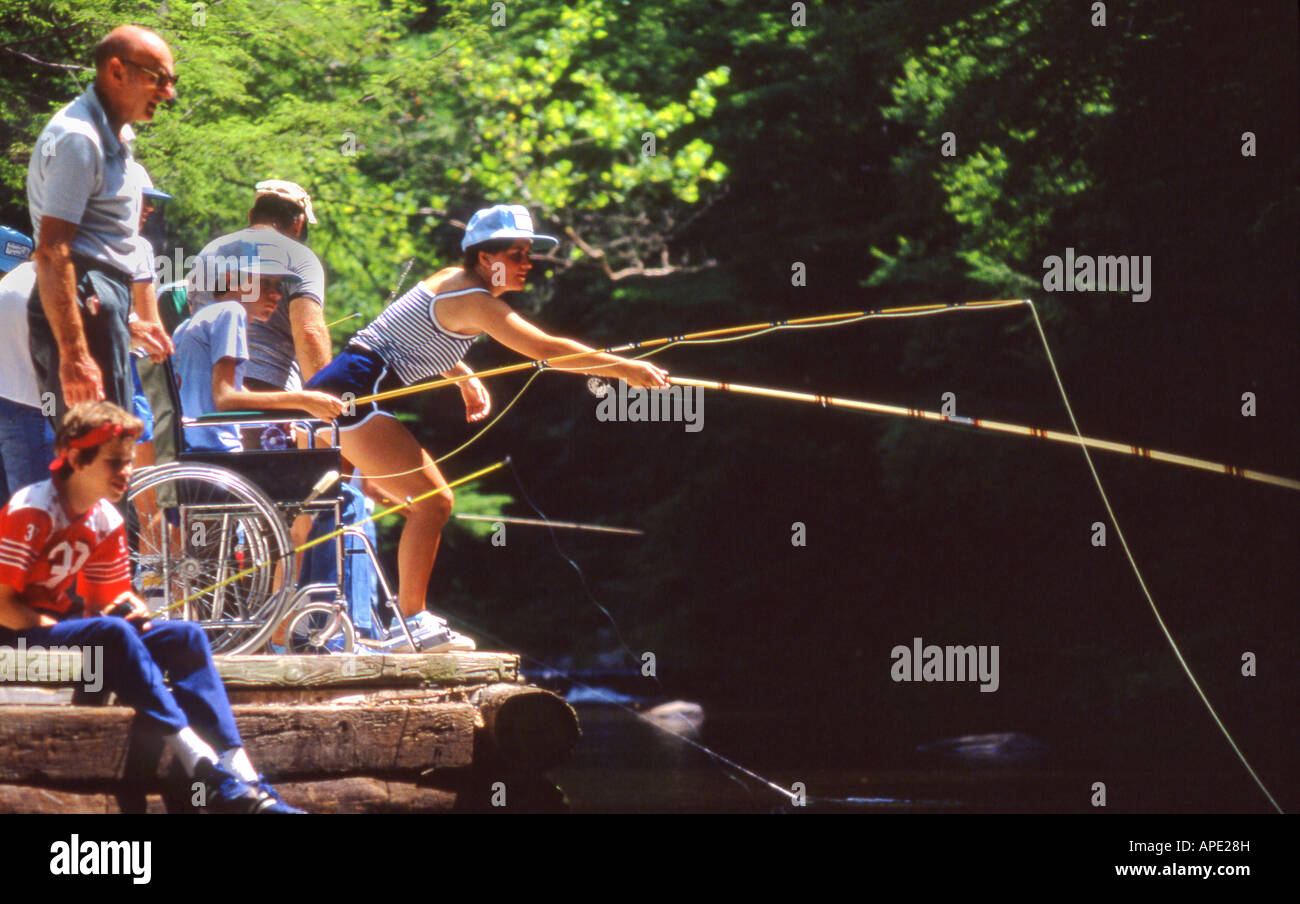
<point>981,423</point>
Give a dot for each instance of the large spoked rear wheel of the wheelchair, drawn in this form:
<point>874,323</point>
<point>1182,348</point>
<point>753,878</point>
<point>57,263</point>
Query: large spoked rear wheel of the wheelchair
<point>194,529</point>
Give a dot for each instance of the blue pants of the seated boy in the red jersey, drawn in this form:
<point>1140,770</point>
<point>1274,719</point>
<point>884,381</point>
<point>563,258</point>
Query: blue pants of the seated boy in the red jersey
<point>135,664</point>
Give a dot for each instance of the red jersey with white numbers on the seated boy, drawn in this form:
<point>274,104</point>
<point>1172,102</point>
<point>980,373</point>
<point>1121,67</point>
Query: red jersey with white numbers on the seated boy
<point>44,551</point>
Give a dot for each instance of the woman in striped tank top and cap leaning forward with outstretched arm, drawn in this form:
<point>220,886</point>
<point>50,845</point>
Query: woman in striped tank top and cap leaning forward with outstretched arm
<point>427,334</point>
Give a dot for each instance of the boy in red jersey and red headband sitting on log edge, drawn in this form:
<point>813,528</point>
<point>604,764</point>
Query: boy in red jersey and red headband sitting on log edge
<point>67,529</point>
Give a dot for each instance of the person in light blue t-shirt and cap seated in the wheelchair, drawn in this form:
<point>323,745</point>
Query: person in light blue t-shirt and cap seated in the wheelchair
<point>213,347</point>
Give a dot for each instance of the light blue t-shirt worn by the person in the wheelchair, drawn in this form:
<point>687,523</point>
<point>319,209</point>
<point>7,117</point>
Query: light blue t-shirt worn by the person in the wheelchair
<point>216,332</point>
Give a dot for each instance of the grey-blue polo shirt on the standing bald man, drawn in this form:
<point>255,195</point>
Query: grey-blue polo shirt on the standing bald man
<point>80,174</point>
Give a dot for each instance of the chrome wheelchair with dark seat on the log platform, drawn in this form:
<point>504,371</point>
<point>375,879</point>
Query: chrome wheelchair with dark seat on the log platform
<point>210,540</point>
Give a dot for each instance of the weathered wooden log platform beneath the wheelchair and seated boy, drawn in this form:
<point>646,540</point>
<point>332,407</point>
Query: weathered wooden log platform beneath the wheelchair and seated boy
<point>335,733</point>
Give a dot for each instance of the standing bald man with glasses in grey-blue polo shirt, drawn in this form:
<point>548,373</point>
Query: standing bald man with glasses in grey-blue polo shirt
<point>85,202</point>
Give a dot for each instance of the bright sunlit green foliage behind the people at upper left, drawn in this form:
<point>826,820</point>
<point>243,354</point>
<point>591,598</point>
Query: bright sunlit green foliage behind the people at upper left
<point>391,128</point>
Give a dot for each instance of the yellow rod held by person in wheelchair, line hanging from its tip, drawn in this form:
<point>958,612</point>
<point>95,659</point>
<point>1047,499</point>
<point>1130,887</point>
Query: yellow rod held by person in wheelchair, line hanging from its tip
<point>825,319</point>
